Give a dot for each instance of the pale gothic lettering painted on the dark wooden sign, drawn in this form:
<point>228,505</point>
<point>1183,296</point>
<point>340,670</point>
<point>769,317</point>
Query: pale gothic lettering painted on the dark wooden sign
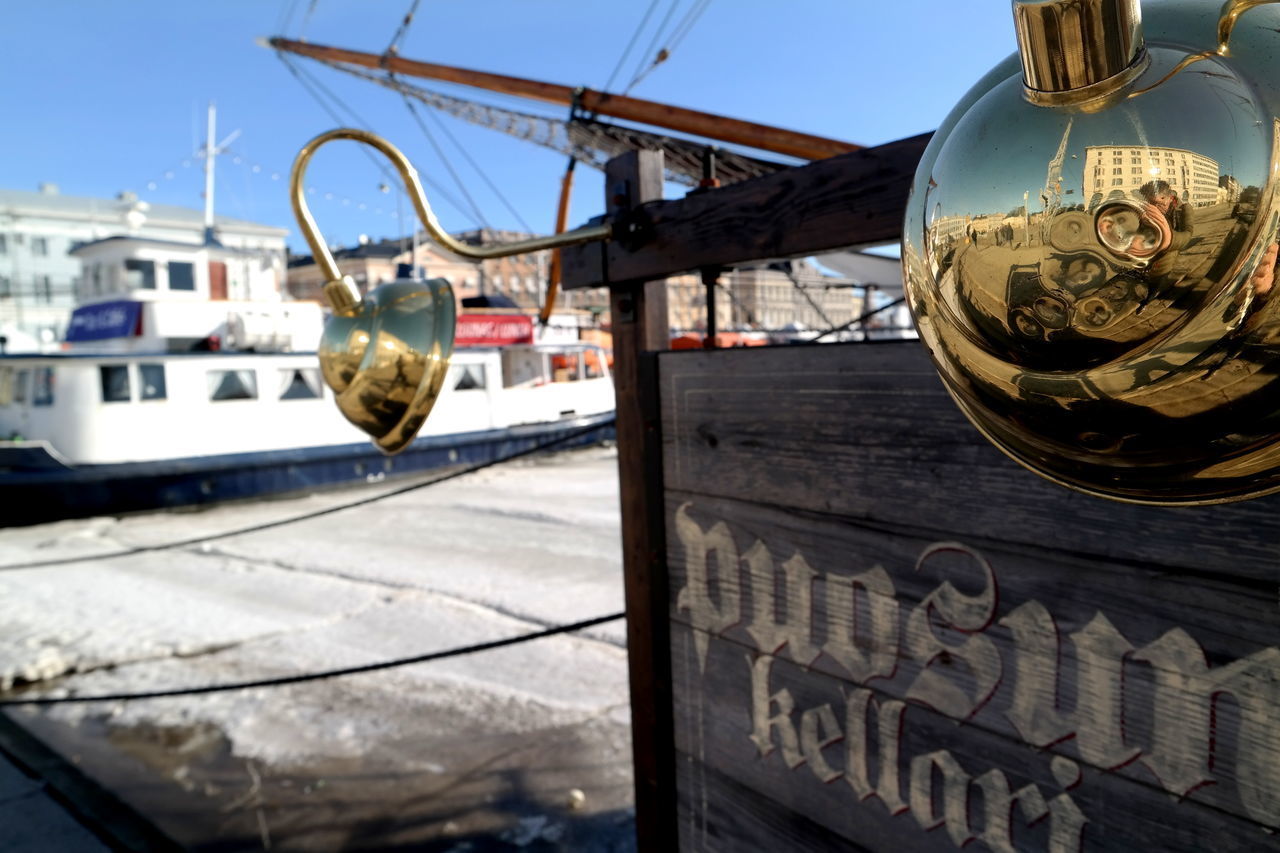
<point>865,632</point>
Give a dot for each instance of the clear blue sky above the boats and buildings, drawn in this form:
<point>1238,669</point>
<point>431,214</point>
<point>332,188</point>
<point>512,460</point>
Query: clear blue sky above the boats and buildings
<point>106,97</point>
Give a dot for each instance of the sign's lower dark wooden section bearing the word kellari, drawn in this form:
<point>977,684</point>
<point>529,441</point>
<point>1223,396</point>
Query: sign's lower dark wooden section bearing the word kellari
<point>950,784</point>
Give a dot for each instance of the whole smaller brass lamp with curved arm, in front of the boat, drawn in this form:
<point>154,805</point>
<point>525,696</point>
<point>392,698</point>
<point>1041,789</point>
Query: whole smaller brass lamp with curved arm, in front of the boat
<point>386,357</point>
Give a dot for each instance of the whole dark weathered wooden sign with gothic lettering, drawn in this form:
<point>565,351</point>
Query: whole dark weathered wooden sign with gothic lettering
<point>886,636</point>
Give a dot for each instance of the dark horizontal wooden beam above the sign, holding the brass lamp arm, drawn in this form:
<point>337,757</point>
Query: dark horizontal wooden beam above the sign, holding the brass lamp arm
<point>853,200</point>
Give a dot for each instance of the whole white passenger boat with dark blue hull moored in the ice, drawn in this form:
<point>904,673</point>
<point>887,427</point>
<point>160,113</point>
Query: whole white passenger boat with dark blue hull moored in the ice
<point>166,396</point>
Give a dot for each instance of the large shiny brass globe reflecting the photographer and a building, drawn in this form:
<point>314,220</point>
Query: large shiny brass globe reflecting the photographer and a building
<point>1095,281</point>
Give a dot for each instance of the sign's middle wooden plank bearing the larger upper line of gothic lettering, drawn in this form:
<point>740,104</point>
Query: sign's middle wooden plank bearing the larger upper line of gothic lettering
<point>1117,669</point>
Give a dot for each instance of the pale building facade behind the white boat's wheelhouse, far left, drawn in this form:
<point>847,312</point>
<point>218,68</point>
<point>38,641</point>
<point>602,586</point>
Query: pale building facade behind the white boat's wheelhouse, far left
<point>40,281</point>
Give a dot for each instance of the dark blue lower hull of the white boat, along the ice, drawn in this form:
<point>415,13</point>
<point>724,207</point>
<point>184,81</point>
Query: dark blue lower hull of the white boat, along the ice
<point>36,487</point>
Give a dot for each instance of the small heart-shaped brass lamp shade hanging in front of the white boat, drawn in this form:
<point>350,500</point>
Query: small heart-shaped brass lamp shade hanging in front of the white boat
<point>387,359</point>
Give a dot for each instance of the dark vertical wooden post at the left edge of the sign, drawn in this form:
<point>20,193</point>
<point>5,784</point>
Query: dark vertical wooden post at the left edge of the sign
<point>639,316</point>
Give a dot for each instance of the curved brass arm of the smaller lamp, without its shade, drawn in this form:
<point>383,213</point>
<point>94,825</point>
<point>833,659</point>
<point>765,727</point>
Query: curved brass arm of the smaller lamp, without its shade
<point>345,295</point>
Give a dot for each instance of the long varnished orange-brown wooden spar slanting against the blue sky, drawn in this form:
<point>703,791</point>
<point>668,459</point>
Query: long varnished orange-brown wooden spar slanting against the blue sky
<point>633,110</point>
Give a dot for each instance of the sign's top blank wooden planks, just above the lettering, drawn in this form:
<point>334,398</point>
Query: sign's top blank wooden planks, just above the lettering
<point>867,432</point>
